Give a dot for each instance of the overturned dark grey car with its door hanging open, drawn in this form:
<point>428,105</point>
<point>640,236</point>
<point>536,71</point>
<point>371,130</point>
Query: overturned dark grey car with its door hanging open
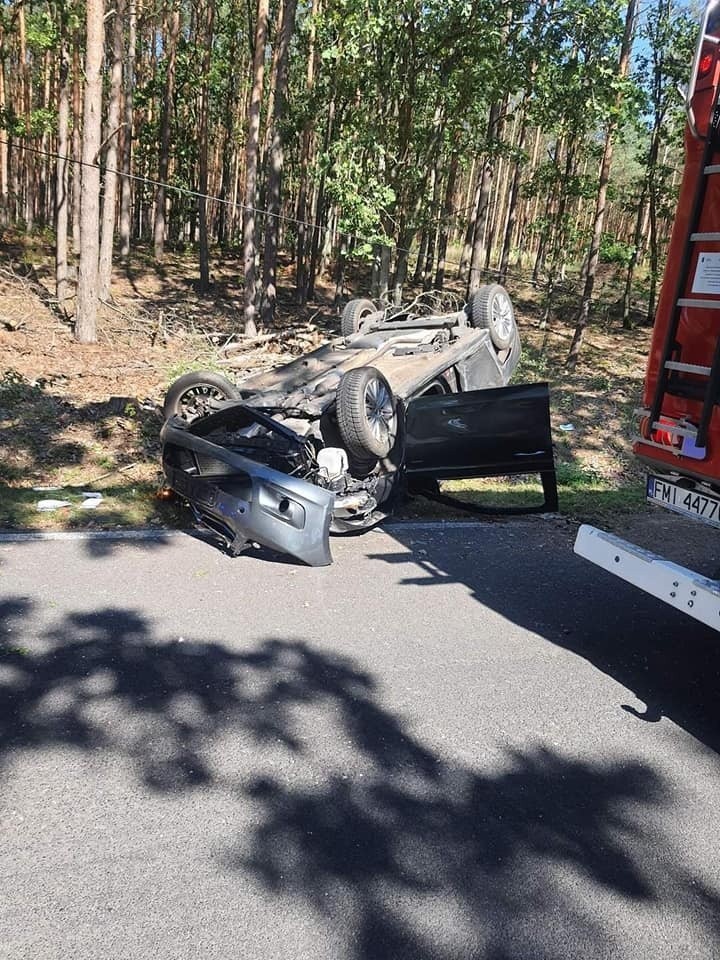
<point>327,442</point>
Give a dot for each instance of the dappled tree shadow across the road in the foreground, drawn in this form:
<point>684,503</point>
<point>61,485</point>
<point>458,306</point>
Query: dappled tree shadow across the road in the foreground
<point>400,850</point>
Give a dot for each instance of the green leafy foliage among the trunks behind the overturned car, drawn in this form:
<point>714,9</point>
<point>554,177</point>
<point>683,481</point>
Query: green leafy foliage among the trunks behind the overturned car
<point>400,88</point>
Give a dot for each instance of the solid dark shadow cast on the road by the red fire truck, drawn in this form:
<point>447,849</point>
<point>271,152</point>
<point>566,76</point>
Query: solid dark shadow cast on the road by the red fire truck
<point>670,662</point>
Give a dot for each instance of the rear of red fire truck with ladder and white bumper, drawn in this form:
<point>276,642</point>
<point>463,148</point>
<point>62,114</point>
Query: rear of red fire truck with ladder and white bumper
<point>679,430</point>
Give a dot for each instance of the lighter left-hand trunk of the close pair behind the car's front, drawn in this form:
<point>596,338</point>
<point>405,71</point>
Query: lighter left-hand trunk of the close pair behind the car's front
<point>251,166</point>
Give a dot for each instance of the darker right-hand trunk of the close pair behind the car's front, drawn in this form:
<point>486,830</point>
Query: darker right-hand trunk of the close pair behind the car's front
<point>274,175</point>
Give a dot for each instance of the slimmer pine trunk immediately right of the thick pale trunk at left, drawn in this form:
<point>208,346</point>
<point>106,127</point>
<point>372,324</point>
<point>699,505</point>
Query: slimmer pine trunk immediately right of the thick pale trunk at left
<point>111,156</point>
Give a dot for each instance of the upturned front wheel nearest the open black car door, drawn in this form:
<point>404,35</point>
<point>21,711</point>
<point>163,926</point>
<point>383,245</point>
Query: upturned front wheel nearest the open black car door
<point>366,414</point>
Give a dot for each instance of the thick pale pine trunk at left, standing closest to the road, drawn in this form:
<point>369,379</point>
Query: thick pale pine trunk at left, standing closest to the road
<point>87,296</point>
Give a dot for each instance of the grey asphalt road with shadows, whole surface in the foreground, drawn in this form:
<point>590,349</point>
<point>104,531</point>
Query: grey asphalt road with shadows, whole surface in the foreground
<point>454,743</point>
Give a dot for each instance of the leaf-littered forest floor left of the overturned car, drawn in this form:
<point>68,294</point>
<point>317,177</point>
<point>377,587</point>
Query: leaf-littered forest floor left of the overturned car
<point>77,416</point>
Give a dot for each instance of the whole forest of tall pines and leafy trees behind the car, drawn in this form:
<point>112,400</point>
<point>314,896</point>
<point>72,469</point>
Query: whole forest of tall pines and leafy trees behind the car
<point>404,143</point>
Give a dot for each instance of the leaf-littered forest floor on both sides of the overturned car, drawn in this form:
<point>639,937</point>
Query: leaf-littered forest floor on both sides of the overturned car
<point>78,418</point>
